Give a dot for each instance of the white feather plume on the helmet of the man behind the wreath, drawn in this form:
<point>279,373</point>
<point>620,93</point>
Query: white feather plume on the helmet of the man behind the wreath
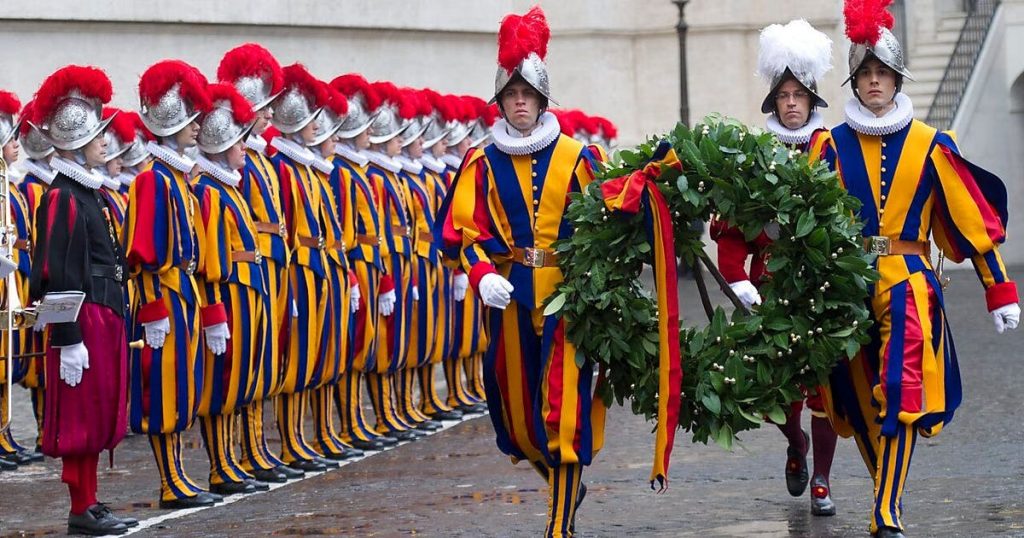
<point>797,46</point>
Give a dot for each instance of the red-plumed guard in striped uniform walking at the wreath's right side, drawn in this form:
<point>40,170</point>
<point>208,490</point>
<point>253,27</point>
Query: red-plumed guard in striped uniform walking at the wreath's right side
<point>914,185</point>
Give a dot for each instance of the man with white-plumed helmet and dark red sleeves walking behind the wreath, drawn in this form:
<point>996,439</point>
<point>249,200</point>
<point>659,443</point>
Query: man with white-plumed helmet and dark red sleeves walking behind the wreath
<point>793,58</point>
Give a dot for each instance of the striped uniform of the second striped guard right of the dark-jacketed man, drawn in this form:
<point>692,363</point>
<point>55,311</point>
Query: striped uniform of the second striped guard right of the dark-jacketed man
<point>234,276</point>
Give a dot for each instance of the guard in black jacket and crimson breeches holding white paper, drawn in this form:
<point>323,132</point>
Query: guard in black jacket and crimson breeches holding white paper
<point>78,250</point>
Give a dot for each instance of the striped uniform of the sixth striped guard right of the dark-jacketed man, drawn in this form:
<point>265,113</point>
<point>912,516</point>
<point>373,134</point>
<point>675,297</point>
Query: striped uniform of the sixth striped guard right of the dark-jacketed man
<point>366,263</point>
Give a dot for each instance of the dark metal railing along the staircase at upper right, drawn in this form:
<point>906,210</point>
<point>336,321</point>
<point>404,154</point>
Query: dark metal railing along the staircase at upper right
<point>961,67</point>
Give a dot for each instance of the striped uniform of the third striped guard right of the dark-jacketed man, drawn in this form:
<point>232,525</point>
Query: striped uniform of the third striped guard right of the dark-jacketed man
<point>262,190</point>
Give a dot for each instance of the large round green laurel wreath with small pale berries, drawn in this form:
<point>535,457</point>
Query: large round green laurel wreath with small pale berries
<point>739,370</point>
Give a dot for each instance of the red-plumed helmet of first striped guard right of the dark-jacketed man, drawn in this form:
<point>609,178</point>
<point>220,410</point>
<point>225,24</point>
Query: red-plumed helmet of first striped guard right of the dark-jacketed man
<point>168,109</point>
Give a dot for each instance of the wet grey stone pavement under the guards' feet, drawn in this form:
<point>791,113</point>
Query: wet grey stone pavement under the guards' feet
<point>968,482</point>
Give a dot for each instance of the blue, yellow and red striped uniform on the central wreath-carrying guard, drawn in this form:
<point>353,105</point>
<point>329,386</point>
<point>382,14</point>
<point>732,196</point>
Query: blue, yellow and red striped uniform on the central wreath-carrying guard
<point>540,398</point>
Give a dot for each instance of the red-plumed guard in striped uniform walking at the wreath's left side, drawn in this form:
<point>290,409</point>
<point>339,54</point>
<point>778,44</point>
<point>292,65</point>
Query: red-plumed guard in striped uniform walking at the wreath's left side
<point>503,214</point>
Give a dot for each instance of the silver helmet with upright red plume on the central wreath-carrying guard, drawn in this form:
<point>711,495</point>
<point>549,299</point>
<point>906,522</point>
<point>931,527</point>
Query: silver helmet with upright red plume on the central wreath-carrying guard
<point>516,37</point>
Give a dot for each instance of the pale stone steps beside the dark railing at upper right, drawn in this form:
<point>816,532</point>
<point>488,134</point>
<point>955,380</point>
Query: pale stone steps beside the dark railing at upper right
<point>929,60</point>
